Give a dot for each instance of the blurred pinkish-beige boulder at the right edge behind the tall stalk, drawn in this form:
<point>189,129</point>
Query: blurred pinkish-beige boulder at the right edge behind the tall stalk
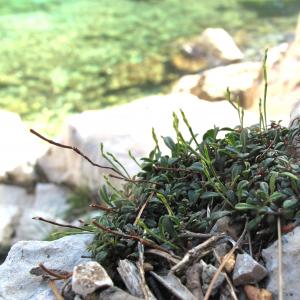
<point>283,80</point>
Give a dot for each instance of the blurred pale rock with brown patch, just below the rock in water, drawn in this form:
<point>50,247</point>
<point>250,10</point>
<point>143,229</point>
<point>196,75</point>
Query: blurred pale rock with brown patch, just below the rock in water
<point>213,83</point>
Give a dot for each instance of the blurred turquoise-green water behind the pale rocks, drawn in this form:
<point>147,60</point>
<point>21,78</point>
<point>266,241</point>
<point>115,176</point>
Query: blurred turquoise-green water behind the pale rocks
<point>59,57</point>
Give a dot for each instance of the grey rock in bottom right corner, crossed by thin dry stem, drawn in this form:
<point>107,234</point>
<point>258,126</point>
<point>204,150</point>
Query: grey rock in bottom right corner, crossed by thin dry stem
<point>290,263</point>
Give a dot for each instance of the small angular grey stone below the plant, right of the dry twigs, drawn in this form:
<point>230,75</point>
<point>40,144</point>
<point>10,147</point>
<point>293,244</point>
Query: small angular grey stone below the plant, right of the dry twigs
<point>247,270</point>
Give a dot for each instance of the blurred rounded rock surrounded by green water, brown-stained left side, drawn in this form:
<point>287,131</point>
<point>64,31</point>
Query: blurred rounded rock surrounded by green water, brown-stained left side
<point>212,48</point>
